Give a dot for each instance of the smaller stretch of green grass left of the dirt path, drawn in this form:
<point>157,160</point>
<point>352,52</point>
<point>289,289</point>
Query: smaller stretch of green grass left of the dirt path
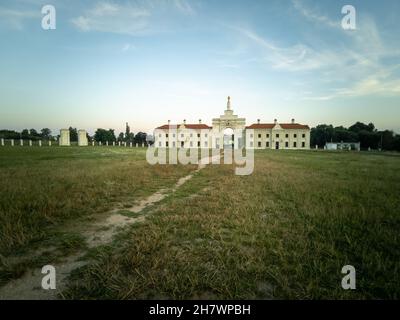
<point>42,188</point>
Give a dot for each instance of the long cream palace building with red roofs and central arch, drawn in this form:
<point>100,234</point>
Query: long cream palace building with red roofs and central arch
<point>231,131</point>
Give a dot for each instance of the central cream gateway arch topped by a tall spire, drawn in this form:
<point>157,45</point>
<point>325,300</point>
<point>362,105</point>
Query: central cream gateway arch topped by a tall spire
<point>228,130</point>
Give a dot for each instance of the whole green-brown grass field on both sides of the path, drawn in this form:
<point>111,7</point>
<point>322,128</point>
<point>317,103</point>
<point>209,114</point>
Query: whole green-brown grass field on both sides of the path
<point>285,231</point>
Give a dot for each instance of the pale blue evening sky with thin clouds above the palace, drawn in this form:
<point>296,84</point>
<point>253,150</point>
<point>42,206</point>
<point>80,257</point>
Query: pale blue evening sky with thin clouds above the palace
<point>149,61</point>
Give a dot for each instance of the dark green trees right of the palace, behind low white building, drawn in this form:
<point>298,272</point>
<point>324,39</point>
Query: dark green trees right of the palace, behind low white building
<point>366,134</point>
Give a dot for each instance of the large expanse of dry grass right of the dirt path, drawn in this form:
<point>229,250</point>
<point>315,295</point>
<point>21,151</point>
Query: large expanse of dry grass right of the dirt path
<point>286,231</point>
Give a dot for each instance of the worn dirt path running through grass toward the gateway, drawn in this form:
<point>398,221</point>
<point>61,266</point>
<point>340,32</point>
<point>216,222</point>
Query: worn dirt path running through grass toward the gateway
<point>99,233</point>
